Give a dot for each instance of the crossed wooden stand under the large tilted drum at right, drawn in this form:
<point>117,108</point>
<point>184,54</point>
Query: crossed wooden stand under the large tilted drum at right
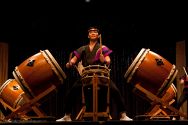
<point>160,106</point>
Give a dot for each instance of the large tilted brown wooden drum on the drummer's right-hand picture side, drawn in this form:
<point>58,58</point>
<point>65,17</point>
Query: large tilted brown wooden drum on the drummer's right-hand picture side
<point>152,71</point>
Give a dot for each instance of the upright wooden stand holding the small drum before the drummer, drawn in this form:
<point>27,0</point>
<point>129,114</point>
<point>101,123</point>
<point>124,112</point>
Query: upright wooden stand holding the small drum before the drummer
<point>94,114</point>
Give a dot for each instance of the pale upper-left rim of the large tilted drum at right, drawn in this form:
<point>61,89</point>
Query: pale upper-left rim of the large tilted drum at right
<point>134,66</point>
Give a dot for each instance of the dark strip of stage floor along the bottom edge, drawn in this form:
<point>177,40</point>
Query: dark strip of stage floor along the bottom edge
<point>134,122</point>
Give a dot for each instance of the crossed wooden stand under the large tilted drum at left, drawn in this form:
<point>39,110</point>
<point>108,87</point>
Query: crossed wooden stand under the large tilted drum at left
<point>30,104</point>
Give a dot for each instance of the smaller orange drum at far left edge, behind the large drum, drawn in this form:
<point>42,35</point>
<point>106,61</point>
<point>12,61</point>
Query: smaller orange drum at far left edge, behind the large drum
<point>11,93</point>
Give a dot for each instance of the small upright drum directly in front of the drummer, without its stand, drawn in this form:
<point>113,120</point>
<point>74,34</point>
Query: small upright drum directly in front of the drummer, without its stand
<point>101,72</point>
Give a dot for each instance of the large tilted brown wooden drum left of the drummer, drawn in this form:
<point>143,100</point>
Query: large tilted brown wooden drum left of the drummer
<point>38,73</point>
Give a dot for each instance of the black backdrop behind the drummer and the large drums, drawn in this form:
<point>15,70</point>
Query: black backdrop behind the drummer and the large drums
<point>62,26</point>
